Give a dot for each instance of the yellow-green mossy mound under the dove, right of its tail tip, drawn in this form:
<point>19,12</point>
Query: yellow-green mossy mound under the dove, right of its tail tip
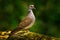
<point>22,35</point>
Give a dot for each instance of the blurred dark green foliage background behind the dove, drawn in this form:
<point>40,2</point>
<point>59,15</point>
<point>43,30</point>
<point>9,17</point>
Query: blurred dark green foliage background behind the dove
<point>47,14</point>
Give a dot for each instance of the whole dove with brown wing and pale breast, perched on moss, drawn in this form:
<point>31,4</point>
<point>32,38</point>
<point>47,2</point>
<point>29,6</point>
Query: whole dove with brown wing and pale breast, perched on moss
<point>27,22</point>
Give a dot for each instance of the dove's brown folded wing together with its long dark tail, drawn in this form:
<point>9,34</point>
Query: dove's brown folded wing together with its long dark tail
<point>22,25</point>
